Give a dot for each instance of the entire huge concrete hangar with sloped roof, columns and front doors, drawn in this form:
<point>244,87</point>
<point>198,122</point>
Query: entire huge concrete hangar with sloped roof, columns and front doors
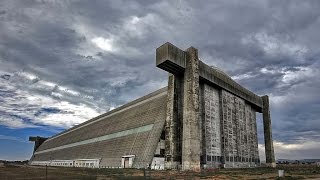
<point>202,119</point>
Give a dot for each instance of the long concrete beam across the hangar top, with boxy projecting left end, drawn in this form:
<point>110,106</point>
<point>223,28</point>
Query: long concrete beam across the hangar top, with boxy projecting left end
<point>174,60</point>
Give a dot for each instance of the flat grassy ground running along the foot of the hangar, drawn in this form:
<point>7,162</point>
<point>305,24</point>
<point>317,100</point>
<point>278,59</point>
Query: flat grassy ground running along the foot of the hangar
<point>53,173</point>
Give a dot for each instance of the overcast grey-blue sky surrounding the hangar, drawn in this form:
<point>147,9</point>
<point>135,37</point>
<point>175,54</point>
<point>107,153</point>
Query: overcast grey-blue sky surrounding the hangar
<point>64,62</point>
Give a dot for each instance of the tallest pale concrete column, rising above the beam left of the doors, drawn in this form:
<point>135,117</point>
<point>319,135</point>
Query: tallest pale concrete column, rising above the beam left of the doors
<point>191,131</point>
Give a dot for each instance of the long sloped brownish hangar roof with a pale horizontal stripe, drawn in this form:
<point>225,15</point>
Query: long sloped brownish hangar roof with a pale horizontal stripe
<point>133,128</point>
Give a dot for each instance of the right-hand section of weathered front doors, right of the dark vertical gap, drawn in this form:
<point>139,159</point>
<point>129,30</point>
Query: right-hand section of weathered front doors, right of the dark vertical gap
<point>239,132</point>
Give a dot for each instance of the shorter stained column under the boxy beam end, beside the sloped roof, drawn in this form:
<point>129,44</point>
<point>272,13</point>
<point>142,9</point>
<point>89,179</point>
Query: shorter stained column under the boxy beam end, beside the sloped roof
<point>173,125</point>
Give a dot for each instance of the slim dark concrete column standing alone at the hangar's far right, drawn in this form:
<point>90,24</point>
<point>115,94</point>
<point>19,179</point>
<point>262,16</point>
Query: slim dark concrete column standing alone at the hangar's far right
<point>270,160</point>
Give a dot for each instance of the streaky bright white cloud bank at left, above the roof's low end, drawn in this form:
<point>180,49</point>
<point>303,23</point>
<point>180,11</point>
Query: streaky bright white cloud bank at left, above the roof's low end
<point>24,106</point>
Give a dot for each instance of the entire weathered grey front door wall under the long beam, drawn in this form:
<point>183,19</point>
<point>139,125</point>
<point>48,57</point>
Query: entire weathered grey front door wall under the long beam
<point>229,130</point>
